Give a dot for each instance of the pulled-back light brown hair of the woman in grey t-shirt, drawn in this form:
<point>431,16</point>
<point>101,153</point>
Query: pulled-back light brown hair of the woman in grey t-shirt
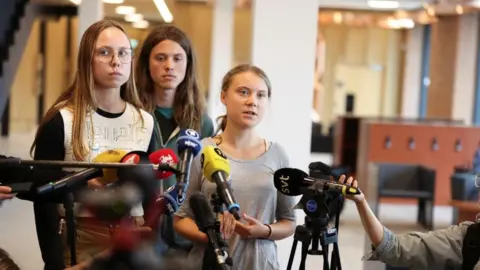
<point>227,80</point>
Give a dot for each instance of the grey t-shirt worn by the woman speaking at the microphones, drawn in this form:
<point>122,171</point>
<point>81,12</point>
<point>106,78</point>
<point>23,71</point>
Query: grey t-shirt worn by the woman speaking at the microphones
<point>252,186</point>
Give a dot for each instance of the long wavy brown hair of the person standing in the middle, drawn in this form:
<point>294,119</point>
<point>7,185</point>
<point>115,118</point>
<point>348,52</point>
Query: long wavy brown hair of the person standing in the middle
<point>188,104</point>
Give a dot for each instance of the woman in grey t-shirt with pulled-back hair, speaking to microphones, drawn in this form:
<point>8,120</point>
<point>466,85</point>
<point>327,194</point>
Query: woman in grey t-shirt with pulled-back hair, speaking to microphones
<point>267,214</point>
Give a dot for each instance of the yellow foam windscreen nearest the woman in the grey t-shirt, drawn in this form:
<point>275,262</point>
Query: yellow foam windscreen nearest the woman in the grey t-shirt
<point>214,160</point>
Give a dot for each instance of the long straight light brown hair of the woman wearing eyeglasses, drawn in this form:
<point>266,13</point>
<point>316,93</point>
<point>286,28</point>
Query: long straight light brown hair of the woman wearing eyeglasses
<point>80,97</point>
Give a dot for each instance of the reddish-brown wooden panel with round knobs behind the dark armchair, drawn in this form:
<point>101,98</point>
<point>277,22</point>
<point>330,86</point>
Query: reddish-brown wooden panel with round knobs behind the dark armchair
<point>443,160</point>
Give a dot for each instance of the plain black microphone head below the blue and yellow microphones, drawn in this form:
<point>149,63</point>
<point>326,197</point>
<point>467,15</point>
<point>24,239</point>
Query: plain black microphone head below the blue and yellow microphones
<point>202,211</point>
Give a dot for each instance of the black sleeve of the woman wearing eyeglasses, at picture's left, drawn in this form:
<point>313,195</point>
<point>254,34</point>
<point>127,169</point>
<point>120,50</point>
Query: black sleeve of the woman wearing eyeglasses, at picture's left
<point>50,146</point>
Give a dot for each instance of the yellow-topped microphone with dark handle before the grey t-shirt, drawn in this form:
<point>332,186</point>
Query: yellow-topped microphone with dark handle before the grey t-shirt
<point>217,169</point>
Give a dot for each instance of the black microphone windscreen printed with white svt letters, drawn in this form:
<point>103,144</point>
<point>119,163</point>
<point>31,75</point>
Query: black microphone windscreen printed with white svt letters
<point>289,181</point>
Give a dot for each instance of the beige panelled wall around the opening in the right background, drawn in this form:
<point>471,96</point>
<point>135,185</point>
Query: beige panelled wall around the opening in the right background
<point>366,47</point>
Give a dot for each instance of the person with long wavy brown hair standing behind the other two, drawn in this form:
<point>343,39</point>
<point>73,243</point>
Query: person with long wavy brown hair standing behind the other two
<point>167,83</point>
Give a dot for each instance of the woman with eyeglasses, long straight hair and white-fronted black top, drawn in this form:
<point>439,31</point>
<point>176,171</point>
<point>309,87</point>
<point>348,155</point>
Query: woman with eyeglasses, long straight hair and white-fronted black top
<point>100,111</point>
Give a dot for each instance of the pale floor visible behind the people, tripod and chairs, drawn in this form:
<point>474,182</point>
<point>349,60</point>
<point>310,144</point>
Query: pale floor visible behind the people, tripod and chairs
<point>17,230</point>
